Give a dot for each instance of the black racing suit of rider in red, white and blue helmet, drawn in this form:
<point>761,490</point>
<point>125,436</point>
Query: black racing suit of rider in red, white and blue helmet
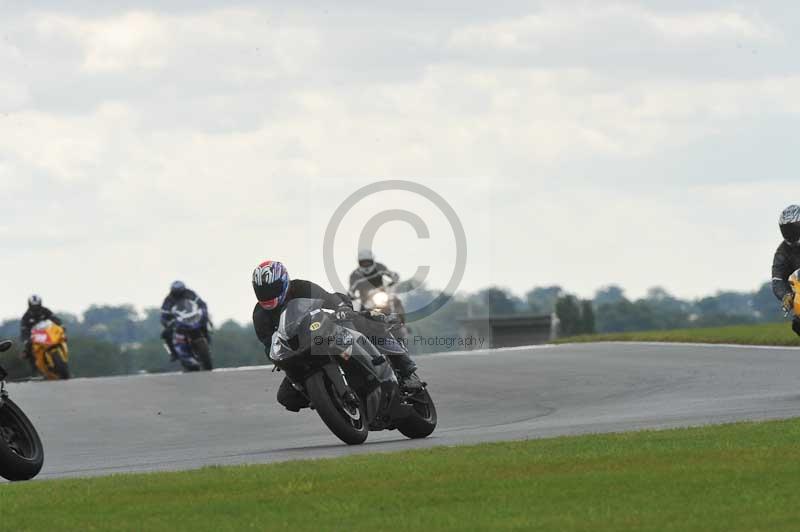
<point>265,323</point>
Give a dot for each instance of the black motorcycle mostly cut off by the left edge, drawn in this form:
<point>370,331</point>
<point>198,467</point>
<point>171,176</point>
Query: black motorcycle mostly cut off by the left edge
<point>21,452</point>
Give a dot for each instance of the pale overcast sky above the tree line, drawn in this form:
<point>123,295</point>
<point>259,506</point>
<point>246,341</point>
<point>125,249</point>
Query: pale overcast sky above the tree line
<point>580,143</point>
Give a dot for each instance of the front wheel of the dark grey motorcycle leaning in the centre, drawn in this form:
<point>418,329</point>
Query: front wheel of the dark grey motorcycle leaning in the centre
<point>346,420</point>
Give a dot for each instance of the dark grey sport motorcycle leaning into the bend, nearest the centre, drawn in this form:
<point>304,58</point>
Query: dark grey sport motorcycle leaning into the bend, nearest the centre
<point>348,381</point>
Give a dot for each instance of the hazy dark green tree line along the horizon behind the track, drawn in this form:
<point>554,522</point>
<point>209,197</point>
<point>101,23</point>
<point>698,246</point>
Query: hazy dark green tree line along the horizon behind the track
<point>117,340</point>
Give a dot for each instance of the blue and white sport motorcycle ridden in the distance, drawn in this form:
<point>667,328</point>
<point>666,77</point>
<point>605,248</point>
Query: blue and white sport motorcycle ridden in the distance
<point>190,336</point>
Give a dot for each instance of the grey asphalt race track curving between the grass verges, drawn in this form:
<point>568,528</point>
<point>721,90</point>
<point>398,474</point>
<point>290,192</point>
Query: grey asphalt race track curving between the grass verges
<point>181,421</point>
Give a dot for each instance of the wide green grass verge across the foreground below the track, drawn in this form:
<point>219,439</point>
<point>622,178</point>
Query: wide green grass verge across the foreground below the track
<point>733,477</point>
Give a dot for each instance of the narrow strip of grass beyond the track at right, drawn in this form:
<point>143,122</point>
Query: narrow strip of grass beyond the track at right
<point>761,334</point>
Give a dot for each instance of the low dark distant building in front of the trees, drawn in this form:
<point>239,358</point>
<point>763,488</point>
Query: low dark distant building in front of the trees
<point>511,330</point>
